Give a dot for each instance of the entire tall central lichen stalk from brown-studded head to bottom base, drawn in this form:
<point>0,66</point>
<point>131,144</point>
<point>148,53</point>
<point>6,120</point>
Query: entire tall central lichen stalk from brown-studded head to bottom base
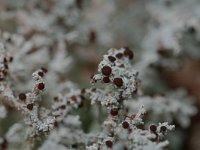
<point>120,128</point>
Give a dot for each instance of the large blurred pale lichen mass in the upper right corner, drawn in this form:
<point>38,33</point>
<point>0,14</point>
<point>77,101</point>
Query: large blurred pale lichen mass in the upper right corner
<point>172,32</point>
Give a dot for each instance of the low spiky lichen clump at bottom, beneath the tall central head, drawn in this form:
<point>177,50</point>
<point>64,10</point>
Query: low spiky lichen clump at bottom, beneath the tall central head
<point>128,135</point>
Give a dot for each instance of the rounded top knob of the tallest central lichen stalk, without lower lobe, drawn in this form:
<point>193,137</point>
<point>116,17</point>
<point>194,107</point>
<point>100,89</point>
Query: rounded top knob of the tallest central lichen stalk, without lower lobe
<point>115,69</point>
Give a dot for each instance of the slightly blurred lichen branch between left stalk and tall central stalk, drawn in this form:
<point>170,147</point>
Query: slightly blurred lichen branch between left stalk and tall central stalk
<point>68,133</point>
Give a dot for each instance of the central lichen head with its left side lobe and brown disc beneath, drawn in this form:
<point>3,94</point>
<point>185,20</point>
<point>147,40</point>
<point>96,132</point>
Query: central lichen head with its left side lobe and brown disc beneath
<point>121,81</point>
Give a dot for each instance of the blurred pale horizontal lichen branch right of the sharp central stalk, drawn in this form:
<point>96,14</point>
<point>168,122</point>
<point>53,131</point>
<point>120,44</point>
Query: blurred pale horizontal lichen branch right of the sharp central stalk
<point>176,105</point>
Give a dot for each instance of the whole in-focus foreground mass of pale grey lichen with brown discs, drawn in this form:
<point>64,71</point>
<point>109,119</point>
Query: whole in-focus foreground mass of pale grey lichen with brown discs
<point>62,128</point>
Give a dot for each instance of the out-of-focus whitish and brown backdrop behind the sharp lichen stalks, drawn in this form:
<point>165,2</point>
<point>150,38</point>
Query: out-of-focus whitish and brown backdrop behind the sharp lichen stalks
<point>69,38</point>
